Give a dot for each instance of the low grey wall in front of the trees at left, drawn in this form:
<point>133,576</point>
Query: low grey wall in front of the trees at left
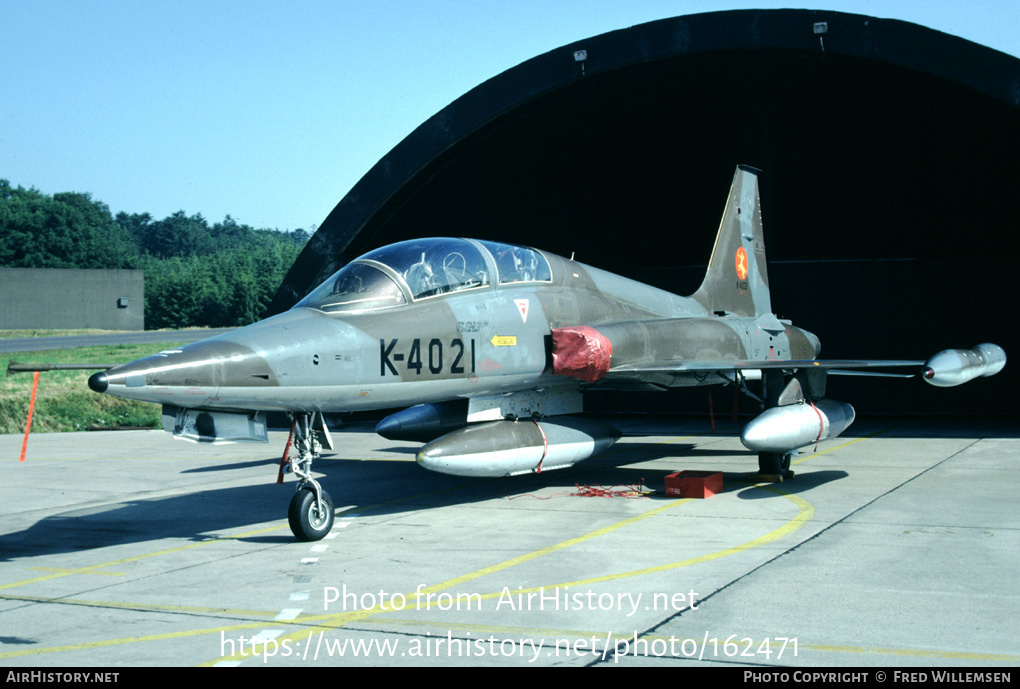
<point>58,299</point>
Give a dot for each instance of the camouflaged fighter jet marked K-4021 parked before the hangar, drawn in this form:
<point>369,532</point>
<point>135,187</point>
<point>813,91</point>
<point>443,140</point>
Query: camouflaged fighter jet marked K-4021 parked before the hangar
<point>492,348</point>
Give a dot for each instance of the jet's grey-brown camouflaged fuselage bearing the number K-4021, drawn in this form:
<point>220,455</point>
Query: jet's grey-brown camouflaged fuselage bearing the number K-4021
<point>482,341</point>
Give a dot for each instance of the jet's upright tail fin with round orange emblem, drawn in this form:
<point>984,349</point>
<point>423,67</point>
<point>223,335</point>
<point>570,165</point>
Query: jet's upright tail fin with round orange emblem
<point>737,280</point>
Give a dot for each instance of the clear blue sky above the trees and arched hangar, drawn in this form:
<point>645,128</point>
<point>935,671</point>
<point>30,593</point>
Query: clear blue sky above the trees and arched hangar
<point>270,111</point>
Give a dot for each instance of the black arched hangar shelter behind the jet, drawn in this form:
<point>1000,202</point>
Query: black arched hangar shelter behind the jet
<point>890,163</point>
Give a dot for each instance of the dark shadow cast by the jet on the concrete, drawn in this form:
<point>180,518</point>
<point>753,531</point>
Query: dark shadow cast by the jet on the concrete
<point>356,485</point>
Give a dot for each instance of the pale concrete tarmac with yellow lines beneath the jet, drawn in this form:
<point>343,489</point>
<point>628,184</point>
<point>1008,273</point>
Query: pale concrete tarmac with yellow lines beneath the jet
<point>898,545</point>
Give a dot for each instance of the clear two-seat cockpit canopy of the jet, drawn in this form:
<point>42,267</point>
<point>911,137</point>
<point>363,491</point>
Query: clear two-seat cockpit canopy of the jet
<point>425,268</point>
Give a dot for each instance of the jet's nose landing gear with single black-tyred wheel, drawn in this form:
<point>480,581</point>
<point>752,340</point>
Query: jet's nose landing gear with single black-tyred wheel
<point>312,512</point>
